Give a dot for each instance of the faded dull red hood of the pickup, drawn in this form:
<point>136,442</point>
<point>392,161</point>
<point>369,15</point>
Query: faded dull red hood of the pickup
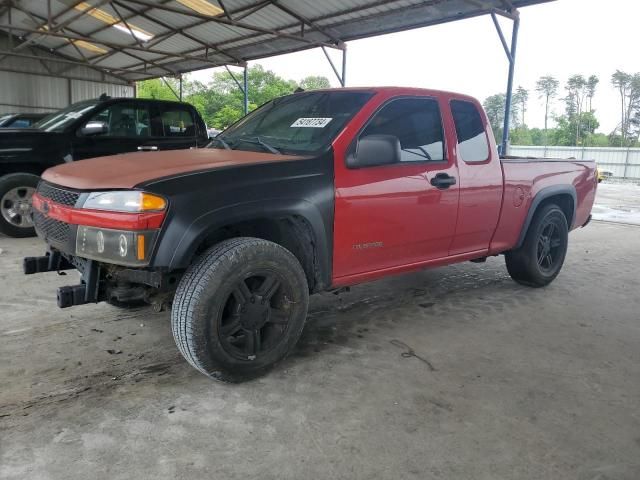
<point>131,169</point>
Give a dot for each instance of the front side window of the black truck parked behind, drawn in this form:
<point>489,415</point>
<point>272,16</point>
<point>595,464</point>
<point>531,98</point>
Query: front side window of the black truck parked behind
<point>120,120</point>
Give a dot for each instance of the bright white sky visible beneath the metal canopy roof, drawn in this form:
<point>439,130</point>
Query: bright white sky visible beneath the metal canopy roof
<point>560,38</point>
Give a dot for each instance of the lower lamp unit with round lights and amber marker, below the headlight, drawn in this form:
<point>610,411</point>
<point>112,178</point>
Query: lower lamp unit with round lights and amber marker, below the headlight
<point>120,247</point>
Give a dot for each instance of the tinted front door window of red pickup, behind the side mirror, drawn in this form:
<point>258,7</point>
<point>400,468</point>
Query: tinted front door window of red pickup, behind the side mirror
<point>417,124</point>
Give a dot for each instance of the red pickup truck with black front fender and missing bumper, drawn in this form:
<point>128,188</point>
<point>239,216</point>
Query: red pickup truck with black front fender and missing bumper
<point>310,192</point>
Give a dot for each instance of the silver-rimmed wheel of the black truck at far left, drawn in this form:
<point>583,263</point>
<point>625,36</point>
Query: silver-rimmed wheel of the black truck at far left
<point>16,190</point>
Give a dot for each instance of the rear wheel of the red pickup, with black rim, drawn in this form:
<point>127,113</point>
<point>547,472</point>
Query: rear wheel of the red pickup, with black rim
<point>539,260</point>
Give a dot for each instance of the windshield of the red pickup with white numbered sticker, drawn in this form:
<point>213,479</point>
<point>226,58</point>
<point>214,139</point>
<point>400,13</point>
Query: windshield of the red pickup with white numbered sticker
<point>303,123</point>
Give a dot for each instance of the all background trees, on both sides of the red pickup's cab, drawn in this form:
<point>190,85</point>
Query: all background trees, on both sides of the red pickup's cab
<point>221,103</point>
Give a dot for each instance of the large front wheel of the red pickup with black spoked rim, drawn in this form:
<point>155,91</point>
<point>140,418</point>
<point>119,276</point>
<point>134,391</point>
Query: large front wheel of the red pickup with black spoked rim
<point>240,308</point>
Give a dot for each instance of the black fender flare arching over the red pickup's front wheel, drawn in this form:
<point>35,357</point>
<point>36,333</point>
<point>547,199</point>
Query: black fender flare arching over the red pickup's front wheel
<point>178,244</point>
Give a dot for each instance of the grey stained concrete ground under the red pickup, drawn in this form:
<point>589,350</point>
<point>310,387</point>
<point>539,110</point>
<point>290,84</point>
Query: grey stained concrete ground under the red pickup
<point>526,383</point>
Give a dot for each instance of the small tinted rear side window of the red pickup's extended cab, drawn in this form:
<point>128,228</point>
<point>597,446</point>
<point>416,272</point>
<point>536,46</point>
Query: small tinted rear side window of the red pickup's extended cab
<point>473,145</point>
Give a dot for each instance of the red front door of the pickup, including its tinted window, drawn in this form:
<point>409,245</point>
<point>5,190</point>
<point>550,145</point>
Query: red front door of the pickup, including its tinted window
<point>391,216</point>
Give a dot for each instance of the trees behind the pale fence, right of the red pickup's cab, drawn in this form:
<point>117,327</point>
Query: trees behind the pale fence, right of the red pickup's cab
<point>577,124</point>
